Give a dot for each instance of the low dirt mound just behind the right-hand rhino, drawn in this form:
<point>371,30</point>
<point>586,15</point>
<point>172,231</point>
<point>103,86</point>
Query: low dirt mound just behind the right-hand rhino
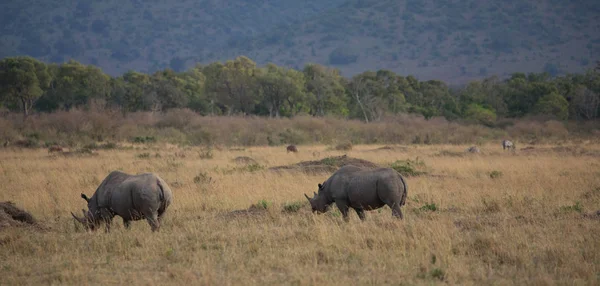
<point>326,165</point>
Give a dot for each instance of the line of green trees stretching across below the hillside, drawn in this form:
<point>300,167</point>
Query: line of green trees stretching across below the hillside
<point>239,86</point>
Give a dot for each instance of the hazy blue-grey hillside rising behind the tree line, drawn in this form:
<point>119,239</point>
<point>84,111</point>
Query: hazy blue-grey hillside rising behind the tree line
<point>449,40</point>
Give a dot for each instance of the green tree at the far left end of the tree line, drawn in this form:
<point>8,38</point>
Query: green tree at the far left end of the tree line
<point>23,80</point>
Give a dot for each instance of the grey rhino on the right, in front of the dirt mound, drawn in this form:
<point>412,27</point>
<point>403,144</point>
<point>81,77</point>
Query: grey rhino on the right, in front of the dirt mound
<point>361,189</point>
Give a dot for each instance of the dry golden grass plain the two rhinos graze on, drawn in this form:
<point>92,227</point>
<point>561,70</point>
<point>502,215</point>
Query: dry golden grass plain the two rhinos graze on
<point>529,225</point>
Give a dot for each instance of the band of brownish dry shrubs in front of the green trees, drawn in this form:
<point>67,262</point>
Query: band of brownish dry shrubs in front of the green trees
<point>183,126</point>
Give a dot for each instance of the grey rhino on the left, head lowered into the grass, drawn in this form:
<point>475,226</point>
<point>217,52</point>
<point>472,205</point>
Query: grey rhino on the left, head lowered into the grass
<point>132,197</point>
